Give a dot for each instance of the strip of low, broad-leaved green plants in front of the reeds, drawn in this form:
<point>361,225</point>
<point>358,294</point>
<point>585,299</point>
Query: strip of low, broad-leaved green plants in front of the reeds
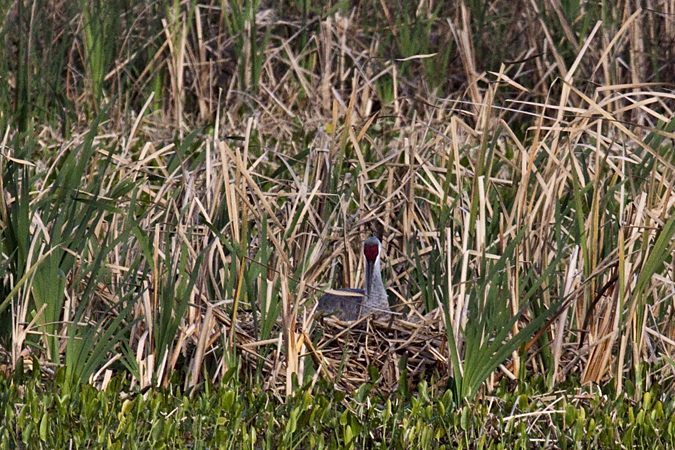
<point>61,413</point>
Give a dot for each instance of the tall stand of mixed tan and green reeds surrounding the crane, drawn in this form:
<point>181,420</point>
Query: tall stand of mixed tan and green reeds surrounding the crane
<point>183,255</point>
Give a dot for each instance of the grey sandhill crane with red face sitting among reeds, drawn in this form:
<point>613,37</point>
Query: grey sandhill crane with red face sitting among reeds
<point>372,299</point>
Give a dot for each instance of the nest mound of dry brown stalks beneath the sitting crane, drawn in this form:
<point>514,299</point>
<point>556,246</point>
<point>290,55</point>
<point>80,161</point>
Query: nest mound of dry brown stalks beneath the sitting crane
<point>347,352</point>
